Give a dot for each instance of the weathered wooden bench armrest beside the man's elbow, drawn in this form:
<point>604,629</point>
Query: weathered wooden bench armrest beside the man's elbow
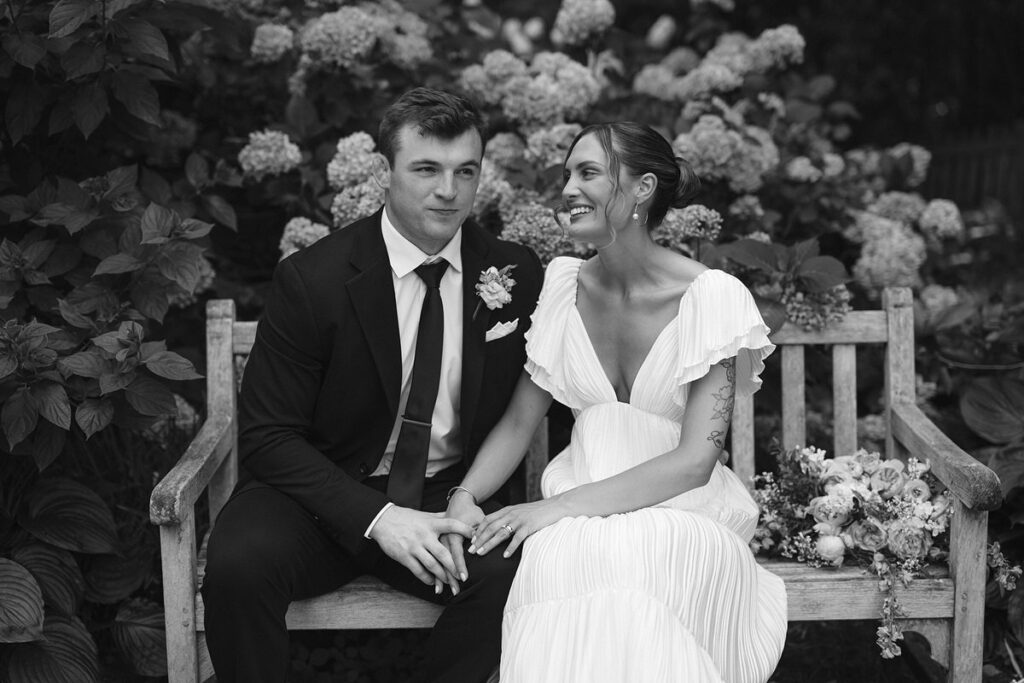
<point>180,490</point>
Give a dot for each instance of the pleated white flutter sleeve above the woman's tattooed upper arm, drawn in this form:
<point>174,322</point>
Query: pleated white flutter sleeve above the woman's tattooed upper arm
<point>718,320</point>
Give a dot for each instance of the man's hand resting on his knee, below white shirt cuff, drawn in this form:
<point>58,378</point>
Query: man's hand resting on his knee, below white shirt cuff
<point>412,538</point>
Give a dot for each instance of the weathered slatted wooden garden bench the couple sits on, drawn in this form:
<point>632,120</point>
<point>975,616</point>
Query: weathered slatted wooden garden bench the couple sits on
<point>949,610</point>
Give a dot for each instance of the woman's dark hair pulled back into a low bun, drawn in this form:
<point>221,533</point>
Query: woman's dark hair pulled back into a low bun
<point>642,150</point>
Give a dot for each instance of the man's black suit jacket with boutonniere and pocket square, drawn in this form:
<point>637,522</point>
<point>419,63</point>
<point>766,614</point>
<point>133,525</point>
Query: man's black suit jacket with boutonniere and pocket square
<point>321,390</point>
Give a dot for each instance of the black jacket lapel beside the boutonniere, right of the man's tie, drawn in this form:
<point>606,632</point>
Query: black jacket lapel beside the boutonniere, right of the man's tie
<point>475,252</point>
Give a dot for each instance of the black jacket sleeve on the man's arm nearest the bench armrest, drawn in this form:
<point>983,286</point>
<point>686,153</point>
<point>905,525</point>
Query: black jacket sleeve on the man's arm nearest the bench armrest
<point>277,405</point>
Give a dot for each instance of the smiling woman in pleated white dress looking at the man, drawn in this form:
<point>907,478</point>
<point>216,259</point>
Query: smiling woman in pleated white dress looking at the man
<point>635,565</point>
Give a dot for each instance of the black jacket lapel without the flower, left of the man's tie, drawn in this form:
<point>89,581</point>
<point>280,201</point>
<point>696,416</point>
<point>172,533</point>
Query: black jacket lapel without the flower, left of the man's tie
<point>372,294</point>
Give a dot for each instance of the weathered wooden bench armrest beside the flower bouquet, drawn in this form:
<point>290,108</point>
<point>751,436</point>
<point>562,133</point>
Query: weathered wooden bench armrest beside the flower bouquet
<point>976,486</point>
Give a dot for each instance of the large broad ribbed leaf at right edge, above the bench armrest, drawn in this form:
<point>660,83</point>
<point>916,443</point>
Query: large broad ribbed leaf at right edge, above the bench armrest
<point>994,409</point>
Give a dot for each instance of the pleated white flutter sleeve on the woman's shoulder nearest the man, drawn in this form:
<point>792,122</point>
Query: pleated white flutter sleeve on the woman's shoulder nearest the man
<point>546,337</point>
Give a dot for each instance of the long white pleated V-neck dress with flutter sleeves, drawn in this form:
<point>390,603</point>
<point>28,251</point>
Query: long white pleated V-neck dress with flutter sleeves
<point>670,593</point>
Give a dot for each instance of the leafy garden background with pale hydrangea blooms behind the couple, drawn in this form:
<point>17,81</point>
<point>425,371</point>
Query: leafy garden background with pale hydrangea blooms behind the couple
<point>132,192</point>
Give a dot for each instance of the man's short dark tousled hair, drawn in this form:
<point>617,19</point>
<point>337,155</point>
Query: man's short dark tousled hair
<point>434,113</point>
